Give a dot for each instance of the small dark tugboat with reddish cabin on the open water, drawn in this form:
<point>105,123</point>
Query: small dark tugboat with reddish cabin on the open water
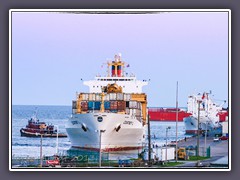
<point>35,128</point>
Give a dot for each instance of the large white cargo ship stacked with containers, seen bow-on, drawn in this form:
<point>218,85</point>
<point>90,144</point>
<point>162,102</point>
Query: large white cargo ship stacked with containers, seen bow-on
<point>113,115</point>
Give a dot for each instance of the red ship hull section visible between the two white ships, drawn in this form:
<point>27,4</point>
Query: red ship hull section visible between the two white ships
<point>167,114</point>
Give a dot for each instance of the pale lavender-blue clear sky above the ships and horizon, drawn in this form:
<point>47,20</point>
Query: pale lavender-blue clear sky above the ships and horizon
<point>52,52</point>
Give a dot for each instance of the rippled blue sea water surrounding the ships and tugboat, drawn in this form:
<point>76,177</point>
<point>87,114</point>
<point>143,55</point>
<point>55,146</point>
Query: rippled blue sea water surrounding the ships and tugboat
<point>58,115</point>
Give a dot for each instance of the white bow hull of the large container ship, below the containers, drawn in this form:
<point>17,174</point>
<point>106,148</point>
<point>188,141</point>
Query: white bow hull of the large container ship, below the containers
<point>121,132</point>
